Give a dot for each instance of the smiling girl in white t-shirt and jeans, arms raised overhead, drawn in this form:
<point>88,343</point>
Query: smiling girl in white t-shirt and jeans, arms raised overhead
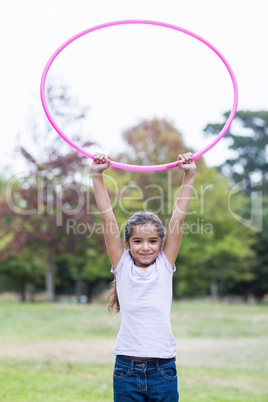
<point>145,349</point>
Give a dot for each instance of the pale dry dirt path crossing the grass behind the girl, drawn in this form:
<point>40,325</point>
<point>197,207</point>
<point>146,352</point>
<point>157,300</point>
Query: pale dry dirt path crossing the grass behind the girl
<point>242,352</point>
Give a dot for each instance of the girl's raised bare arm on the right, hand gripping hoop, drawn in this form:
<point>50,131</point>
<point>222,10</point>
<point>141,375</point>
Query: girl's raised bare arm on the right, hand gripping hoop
<point>174,233</point>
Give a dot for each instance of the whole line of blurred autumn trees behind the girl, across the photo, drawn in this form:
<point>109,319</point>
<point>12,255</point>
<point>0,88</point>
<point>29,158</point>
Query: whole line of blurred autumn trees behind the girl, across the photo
<point>51,234</point>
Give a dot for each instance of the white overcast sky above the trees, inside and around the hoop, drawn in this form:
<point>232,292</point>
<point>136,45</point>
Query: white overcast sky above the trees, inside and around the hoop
<point>129,73</point>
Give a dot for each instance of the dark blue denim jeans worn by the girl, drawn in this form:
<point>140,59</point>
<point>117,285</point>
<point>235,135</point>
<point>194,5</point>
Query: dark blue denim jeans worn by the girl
<point>145,380</point>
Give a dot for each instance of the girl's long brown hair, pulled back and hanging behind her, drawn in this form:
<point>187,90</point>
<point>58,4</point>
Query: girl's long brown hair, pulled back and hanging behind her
<point>139,218</point>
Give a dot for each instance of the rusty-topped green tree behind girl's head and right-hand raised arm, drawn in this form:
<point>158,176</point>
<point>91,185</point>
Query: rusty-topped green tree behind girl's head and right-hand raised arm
<point>209,228</point>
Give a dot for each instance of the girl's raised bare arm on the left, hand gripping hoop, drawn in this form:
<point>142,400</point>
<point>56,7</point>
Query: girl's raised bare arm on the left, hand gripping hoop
<point>110,227</point>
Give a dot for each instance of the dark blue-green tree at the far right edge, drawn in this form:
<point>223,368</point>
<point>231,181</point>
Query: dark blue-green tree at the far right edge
<point>248,169</point>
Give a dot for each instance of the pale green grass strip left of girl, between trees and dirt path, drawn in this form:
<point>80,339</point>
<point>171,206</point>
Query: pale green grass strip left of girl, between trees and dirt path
<point>46,321</point>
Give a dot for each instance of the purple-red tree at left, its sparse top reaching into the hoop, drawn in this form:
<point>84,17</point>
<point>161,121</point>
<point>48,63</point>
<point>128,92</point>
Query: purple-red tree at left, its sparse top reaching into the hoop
<point>37,210</point>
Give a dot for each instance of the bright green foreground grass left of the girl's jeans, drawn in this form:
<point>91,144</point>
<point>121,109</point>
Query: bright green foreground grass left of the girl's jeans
<point>52,381</point>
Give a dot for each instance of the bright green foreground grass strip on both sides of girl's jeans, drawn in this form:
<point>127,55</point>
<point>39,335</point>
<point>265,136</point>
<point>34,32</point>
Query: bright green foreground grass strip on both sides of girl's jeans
<point>29,381</point>
